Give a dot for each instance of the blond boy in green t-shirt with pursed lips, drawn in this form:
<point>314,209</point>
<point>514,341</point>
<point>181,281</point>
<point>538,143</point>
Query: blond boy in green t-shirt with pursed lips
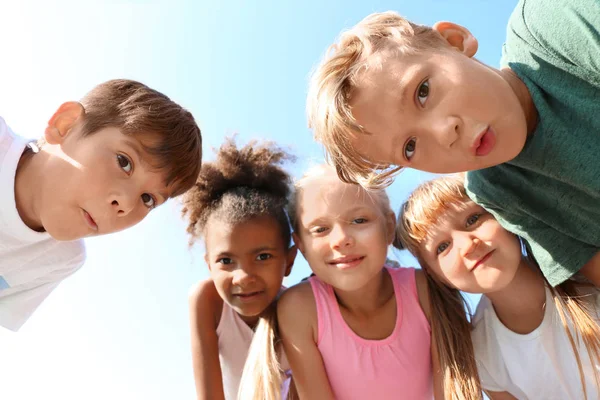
<point>395,94</point>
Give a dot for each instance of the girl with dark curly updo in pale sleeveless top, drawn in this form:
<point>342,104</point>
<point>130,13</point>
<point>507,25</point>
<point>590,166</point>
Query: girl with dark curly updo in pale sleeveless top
<point>238,208</point>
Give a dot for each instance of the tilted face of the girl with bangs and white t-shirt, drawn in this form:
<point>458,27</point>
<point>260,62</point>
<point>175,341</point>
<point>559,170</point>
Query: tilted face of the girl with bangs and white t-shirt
<point>468,249</point>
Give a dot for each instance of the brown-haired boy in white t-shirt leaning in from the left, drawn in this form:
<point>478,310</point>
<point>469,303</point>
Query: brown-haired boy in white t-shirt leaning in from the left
<point>101,166</point>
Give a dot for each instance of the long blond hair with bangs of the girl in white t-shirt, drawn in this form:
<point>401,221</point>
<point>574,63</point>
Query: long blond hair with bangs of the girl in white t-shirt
<point>450,324</point>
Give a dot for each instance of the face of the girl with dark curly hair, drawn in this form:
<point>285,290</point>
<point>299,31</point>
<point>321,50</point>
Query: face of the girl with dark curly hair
<point>248,261</point>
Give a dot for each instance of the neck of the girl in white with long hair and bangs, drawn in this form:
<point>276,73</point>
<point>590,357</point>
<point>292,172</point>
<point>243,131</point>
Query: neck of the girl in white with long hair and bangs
<point>520,305</point>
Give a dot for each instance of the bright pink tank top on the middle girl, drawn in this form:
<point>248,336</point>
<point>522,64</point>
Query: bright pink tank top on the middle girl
<point>398,366</point>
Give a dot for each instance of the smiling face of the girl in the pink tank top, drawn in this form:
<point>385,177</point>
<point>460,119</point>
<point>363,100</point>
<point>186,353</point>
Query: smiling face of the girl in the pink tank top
<point>343,232</point>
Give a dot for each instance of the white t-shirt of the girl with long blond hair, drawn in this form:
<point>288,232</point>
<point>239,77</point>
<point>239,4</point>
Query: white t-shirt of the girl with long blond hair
<point>538,365</point>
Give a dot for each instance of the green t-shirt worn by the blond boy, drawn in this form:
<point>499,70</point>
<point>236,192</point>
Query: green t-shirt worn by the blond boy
<point>550,193</point>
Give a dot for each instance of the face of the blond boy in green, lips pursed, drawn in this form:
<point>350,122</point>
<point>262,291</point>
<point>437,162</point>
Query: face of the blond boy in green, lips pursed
<point>438,111</point>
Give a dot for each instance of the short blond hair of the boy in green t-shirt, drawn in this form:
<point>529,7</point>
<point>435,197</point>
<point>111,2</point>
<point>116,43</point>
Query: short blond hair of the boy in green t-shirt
<point>335,78</point>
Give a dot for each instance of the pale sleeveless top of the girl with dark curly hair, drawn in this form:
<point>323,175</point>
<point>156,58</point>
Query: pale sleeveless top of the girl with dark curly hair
<point>235,338</point>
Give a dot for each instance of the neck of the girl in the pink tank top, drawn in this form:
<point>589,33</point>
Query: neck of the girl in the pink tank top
<point>370,297</point>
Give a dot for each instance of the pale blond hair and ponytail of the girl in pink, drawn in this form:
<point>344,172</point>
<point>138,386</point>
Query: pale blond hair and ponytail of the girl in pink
<point>263,376</point>
